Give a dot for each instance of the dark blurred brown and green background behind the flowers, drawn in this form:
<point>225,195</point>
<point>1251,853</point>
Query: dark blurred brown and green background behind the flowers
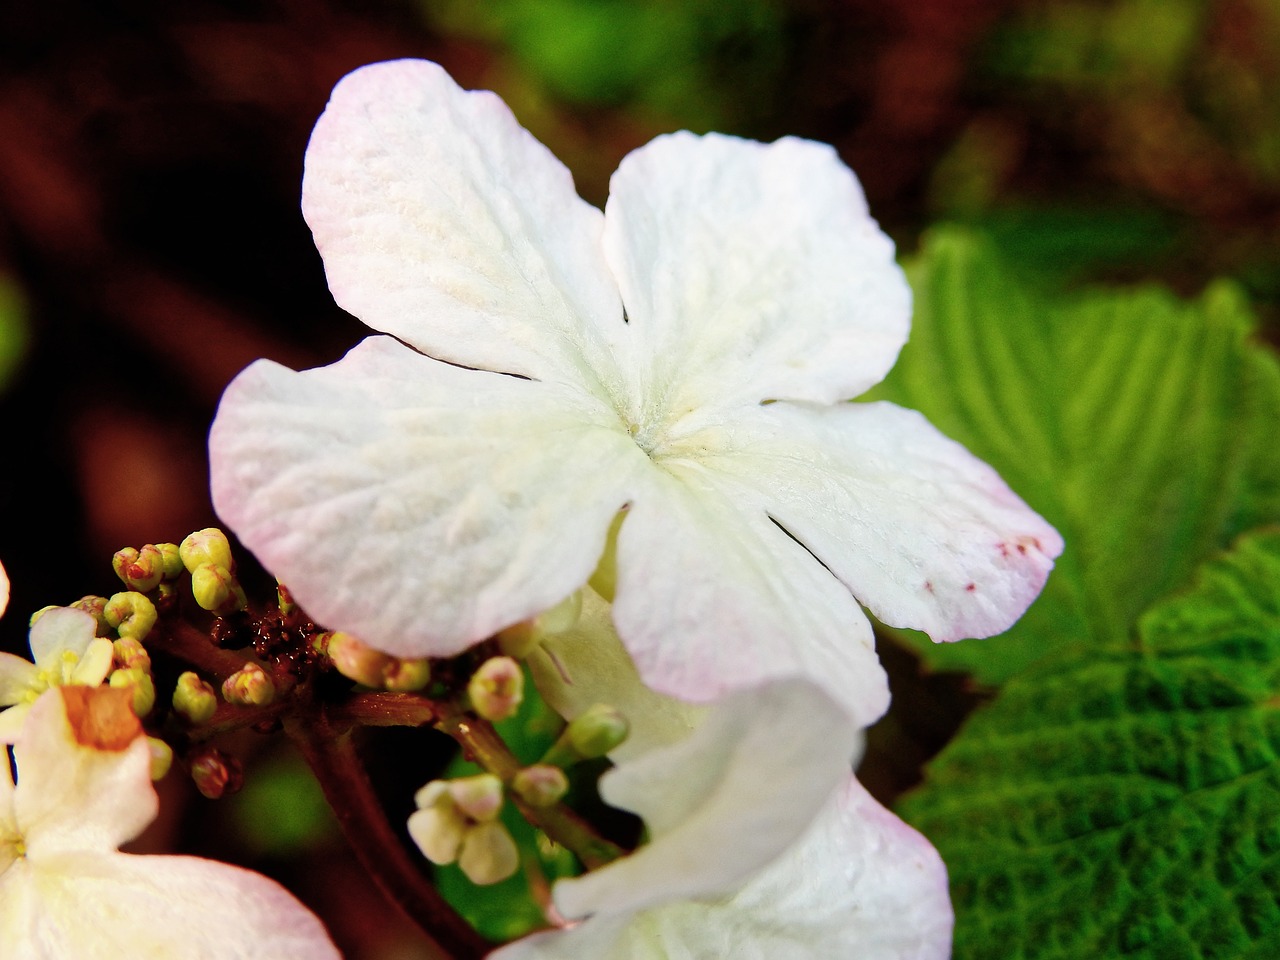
<point>152,244</point>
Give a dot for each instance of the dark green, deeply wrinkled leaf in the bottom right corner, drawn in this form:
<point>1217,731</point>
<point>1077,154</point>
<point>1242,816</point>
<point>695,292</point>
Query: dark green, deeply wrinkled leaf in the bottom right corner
<point>1127,802</point>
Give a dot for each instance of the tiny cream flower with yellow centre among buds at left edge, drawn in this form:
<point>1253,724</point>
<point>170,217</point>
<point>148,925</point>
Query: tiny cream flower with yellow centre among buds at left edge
<point>65,650</point>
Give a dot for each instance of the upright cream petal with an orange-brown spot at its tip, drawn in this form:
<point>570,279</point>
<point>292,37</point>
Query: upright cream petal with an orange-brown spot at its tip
<point>74,797</point>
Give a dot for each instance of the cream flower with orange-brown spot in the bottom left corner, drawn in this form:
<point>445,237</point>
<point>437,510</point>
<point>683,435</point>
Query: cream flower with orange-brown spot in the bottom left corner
<point>85,788</point>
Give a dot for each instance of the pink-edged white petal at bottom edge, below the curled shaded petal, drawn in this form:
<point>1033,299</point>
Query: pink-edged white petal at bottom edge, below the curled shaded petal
<point>861,884</point>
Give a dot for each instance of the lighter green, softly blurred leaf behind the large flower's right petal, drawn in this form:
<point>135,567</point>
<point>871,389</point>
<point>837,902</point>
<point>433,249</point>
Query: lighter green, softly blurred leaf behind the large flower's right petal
<point>1136,423</point>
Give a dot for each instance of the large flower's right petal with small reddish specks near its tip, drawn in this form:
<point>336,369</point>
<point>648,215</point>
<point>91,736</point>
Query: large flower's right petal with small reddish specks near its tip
<point>924,533</point>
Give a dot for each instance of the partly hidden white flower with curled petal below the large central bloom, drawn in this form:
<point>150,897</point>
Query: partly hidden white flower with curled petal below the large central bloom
<point>762,844</point>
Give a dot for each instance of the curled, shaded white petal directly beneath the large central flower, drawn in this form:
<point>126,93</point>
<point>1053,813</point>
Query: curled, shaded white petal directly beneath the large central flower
<point>723,803</point>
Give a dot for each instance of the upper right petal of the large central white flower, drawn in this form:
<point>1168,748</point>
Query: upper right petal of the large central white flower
<point>752,272</point>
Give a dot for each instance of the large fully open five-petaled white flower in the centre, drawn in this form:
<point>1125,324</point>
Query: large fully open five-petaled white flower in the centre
<point>684,355</point>
